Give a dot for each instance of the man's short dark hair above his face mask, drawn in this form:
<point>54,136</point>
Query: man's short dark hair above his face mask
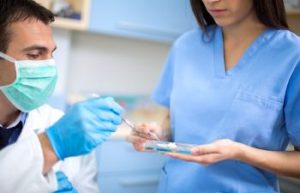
<point>12,11</point>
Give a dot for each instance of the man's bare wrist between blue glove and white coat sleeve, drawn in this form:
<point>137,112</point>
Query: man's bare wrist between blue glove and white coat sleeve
<point>50,157</point>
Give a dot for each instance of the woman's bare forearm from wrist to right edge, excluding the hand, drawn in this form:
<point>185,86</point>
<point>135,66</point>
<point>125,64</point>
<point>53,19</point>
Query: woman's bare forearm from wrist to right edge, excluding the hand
<point>285,163</point>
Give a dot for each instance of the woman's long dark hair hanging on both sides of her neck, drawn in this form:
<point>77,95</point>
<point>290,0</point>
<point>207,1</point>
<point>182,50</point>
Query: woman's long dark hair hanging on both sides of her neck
<point>269,12</point>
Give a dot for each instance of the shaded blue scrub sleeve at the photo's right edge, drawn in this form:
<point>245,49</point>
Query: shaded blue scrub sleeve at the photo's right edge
<point>292,107</point>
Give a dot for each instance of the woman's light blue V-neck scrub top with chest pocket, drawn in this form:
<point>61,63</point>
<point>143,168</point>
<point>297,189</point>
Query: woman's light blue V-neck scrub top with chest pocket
<point>257,102</point>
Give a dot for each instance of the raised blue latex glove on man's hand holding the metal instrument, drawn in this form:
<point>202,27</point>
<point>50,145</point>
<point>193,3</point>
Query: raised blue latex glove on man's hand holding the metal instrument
<point>86,125</point>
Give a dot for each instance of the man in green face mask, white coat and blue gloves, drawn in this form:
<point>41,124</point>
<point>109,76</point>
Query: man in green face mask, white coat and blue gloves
<point>42,150</point>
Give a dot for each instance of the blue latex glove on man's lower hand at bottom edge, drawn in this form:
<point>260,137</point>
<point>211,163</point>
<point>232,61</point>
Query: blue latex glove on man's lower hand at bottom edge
<point>64,186</point>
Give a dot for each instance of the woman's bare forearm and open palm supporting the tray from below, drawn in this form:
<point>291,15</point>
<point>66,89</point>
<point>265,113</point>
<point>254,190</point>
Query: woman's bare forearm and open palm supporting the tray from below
<point>285,163</point>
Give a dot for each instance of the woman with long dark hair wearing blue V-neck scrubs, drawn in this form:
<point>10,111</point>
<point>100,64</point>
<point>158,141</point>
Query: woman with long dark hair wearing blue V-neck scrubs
<point>233,88</point>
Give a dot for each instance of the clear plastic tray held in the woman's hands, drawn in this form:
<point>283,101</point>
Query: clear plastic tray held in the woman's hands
<point>165,146</point>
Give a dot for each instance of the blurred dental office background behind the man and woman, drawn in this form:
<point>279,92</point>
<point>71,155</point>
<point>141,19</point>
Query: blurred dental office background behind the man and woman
<point>117,48</point>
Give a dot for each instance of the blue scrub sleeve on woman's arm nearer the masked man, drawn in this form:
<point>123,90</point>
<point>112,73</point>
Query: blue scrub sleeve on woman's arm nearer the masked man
<point>163,90</point>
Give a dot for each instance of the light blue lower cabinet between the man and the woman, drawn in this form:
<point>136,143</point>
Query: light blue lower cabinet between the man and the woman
<point>121,169</point>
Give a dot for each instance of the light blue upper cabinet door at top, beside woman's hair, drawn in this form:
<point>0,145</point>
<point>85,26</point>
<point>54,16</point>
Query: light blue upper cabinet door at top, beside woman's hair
<point>162,20</point>
